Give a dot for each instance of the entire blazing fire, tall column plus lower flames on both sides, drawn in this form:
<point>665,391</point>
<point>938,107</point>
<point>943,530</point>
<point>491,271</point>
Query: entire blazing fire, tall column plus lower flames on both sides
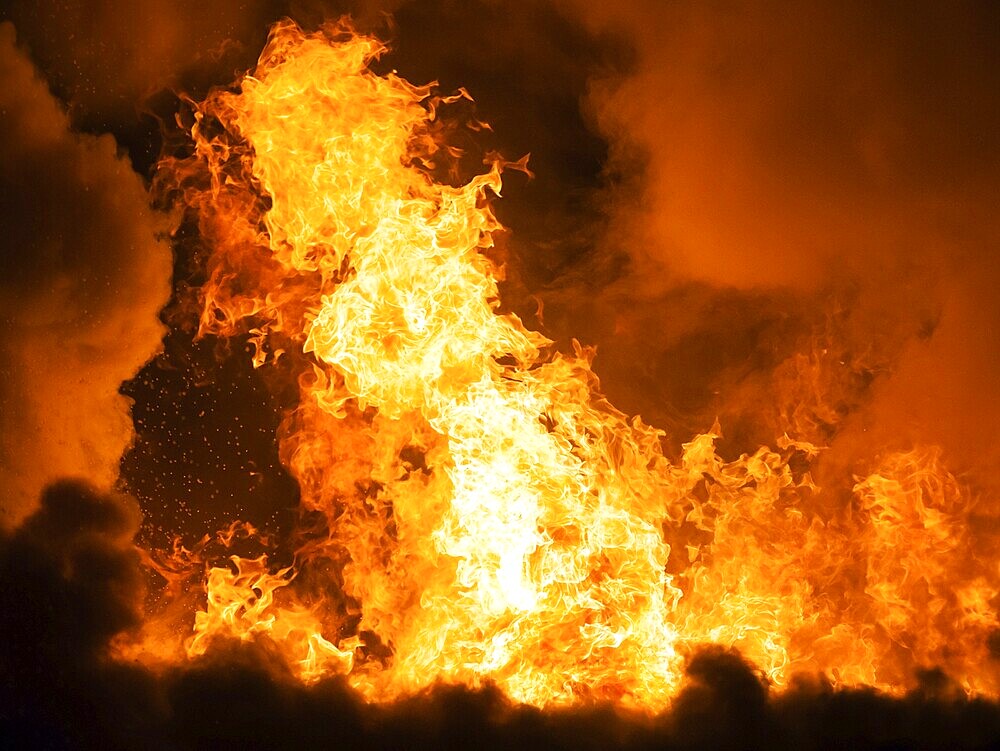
<point>472,509</point>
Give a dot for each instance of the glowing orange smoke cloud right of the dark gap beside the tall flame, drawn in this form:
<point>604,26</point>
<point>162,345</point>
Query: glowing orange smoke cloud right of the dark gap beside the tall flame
<point>813,172</point>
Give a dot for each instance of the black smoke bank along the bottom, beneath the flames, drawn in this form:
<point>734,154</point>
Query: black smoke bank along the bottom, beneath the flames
<point>71,580</point>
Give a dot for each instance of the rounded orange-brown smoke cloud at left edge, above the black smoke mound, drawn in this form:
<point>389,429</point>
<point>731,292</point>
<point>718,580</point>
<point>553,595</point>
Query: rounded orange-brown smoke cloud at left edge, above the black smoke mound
<point>81,280</point>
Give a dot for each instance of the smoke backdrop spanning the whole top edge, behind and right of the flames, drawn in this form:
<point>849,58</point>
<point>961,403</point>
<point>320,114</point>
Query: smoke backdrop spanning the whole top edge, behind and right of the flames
<point>743,181</point>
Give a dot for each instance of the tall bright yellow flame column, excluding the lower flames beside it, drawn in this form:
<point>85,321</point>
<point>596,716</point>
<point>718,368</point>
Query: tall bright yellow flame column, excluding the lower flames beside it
<point>519,550</point>
